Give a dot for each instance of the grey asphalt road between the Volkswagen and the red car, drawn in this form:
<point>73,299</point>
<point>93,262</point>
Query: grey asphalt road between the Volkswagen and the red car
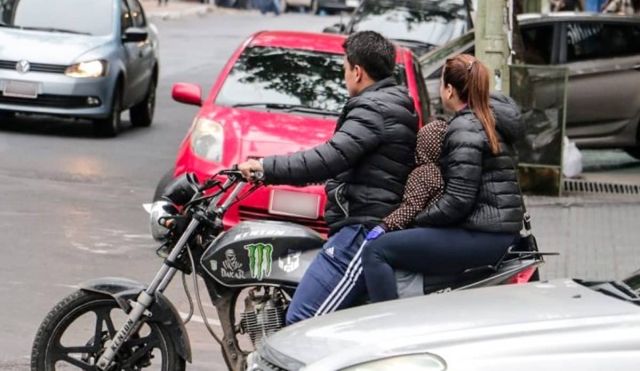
<point>71,204</point>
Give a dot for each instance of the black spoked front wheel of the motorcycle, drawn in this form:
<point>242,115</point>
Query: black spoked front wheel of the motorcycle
<point>76,330</point>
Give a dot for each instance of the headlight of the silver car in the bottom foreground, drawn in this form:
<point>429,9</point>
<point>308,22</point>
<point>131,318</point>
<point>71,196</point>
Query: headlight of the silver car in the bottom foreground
<point>422,362</point>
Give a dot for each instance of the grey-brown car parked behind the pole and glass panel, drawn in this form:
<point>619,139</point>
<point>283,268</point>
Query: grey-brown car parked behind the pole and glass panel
<point>601,53</point>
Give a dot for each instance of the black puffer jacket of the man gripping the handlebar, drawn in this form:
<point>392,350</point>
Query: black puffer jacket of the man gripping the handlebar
<point>367,161</point>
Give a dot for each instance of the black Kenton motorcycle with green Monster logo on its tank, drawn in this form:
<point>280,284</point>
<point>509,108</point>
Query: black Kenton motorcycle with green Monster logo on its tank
<point>267,259</point>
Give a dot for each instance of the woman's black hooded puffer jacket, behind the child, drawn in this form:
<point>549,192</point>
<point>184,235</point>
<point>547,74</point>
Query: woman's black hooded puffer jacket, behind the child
<point>481,191</point>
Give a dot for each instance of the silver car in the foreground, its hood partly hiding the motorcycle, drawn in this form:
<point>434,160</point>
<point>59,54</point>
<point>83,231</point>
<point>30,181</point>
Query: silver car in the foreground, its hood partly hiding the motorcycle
<point>558,325</point>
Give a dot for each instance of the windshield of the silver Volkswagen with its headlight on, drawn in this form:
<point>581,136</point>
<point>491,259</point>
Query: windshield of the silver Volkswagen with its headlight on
<point>94,17</point>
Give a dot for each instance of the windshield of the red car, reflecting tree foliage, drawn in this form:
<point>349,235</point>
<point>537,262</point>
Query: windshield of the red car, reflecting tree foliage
<point>288,77</point>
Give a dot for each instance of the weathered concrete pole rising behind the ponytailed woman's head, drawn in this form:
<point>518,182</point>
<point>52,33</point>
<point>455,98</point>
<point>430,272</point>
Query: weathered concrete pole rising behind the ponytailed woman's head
<point>491,41</point>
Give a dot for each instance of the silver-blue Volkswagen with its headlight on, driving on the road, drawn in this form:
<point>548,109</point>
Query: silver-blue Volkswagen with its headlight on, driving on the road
<point>80,59</point>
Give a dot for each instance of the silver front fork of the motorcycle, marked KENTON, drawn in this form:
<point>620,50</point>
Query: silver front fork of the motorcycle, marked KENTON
<point>144,300</point>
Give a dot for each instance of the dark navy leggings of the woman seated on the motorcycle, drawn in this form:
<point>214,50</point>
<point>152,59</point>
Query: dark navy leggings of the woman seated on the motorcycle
<point>431,251</point>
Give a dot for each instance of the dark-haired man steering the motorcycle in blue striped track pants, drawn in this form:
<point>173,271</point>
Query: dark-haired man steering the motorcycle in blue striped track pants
<point>366,163</point>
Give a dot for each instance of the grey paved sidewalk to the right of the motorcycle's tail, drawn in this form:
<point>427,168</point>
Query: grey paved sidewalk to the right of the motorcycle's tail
<point>595,240</point>
